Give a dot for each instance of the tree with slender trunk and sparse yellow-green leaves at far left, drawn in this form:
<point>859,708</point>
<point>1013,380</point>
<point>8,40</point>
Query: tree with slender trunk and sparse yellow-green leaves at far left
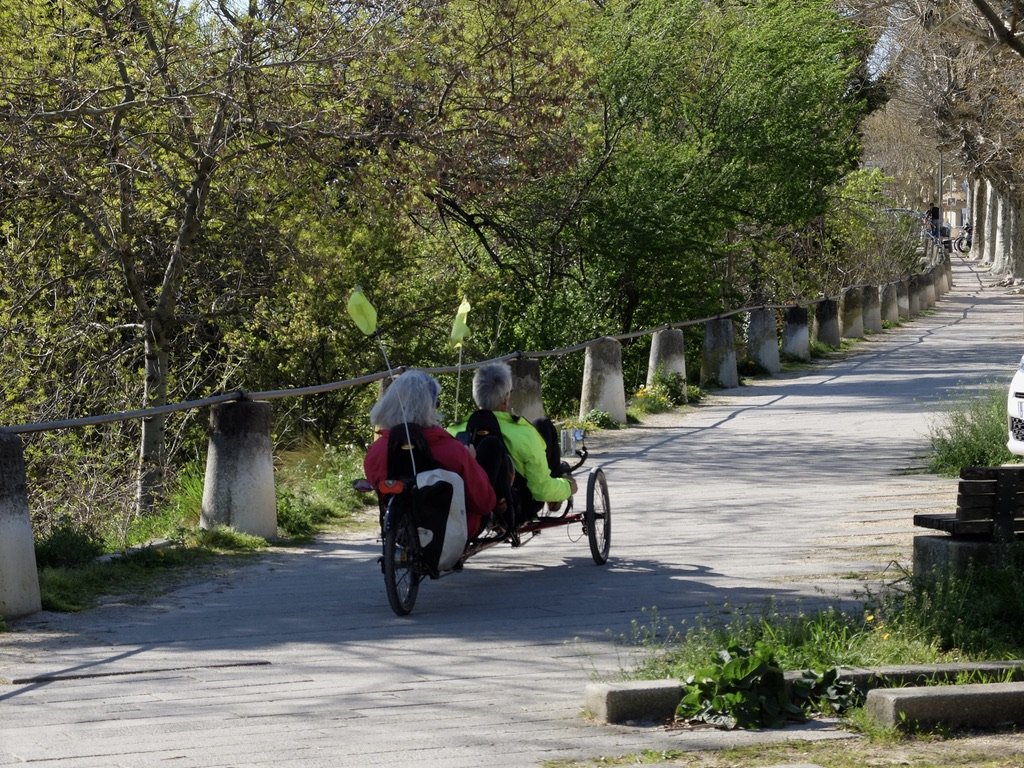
<point>135,120</point>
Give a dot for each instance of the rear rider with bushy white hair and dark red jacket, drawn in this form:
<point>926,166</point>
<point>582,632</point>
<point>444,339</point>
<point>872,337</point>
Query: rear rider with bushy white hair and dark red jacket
<point>413,399</point>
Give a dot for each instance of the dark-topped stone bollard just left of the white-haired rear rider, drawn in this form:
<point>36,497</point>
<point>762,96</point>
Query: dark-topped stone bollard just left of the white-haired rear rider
<point>239,489</point>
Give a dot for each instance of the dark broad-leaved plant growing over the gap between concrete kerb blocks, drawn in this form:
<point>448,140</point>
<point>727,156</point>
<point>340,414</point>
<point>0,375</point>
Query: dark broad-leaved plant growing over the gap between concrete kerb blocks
<point>742,689</point>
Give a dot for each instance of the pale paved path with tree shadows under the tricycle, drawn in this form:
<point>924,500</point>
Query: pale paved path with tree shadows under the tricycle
<point>794,489</point>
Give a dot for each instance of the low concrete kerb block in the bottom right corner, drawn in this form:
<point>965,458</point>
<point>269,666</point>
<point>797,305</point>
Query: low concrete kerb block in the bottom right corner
<point>976,706</point>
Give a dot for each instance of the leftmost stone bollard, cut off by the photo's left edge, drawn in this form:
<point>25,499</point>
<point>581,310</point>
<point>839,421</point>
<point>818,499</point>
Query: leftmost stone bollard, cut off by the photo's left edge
<point>19,578</point>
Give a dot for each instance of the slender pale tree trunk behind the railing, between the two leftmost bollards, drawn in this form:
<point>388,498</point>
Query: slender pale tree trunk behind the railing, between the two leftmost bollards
<point>152,464</point>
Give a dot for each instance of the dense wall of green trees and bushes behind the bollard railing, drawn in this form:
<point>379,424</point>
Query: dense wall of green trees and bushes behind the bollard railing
<point>623,120</point>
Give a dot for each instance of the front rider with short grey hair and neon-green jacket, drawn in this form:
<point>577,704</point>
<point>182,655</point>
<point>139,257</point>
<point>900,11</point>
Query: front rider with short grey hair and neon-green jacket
<point>526,446</point>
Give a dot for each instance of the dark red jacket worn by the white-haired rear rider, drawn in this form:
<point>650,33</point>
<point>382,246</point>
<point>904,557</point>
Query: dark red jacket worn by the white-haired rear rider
<point>450,454</point>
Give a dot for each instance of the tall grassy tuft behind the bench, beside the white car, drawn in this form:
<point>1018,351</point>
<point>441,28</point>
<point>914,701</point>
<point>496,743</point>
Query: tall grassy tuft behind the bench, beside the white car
<point>972,434</point>
